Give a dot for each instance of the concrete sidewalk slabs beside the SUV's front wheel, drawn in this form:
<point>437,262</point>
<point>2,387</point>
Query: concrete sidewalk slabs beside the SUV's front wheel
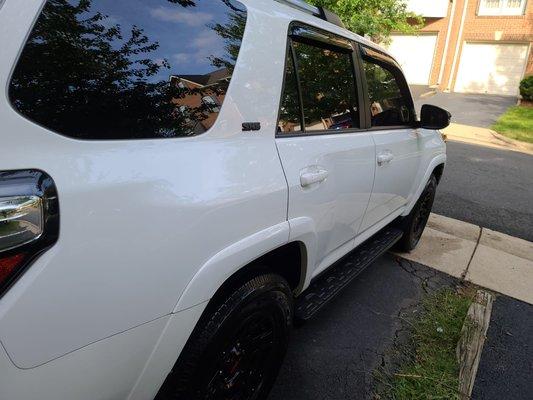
<point>484,257</point>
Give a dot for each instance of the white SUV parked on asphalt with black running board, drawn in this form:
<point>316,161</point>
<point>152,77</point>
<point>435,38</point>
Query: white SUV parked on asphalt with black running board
<point>176,177</point>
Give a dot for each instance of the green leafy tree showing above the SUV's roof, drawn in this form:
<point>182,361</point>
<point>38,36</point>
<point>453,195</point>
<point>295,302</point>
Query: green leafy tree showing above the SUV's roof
<point>374,18</point>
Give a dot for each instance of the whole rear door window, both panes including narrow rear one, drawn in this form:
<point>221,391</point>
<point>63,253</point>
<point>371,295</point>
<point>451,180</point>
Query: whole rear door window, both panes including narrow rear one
<point>322,76</point>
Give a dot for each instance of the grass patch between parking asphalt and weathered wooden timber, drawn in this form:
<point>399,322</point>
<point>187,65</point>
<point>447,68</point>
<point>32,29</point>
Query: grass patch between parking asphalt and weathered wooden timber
<point>429,369</point>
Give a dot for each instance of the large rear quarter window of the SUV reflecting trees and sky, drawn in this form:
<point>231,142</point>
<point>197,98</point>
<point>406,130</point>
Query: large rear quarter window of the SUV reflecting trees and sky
<point>126,69</point>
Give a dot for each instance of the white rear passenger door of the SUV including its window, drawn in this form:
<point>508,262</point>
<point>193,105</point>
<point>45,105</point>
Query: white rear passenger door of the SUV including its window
<point>328,160</point>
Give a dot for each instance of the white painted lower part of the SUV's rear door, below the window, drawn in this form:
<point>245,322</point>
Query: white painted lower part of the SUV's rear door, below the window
<point>337,205</point>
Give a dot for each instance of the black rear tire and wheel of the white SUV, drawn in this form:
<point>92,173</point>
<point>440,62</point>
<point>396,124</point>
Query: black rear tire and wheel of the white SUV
<point>237,348</point>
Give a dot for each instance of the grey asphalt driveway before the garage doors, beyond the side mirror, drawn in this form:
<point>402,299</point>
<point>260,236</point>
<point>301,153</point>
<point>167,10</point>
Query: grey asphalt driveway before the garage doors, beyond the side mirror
<point>469,109</point>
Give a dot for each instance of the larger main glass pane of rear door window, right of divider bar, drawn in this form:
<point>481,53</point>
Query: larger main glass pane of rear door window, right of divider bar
<point>328,87</point>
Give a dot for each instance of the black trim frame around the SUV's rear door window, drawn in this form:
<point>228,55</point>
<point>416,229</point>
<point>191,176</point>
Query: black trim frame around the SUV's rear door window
<point>356,72</point>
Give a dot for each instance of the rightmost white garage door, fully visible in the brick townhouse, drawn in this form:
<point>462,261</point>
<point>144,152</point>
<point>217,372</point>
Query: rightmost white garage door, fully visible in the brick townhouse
<point>491,68</point>
